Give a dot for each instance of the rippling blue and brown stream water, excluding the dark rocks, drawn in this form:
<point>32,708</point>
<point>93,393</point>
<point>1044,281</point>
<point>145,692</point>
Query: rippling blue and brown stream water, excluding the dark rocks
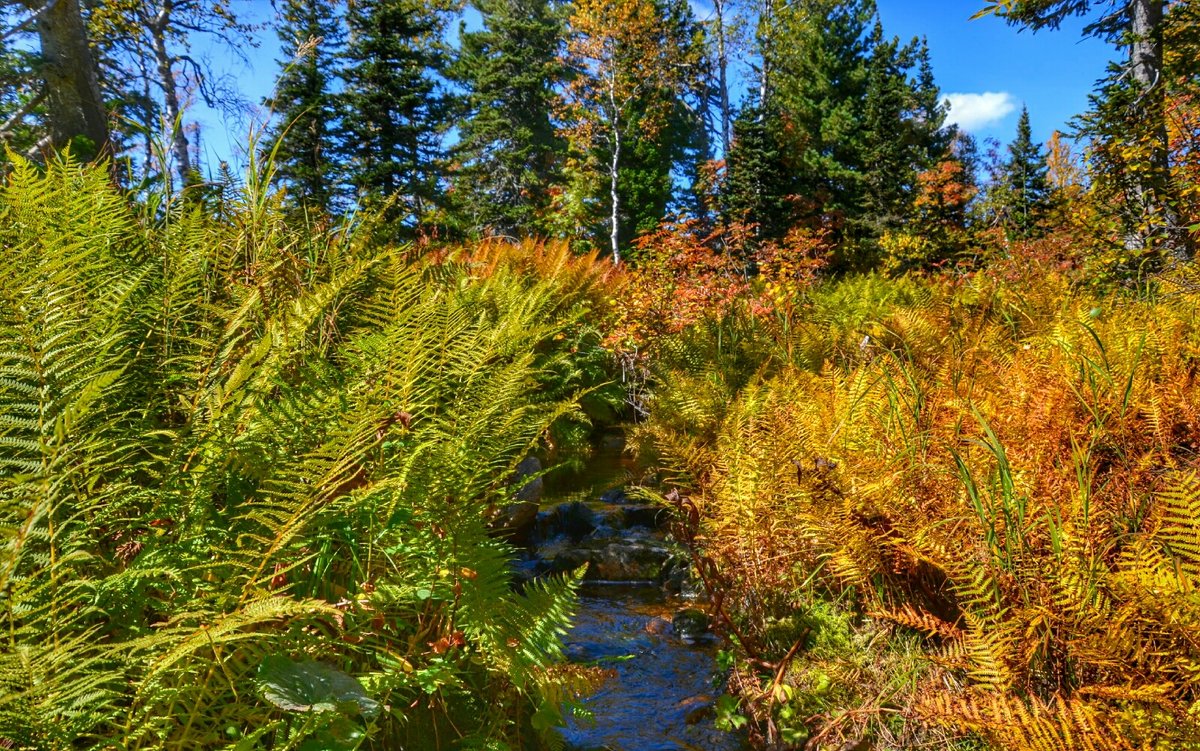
<point>663,690</point>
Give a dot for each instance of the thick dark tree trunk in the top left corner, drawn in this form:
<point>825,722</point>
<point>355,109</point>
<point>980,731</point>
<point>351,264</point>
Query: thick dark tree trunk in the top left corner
<point>76,107</point>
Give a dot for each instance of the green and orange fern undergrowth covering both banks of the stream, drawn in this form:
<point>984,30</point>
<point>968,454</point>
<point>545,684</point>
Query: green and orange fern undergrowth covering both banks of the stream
<point>250,473</point>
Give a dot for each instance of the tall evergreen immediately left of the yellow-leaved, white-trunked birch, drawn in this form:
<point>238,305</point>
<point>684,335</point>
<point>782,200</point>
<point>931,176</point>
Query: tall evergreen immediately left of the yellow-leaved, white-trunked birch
<point>509,152</point>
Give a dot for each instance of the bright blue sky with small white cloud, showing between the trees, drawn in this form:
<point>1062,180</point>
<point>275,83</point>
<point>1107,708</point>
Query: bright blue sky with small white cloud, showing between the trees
<point>986,69</point>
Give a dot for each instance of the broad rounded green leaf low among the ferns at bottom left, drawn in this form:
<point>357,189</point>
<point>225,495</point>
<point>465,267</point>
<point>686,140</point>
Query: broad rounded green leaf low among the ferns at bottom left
<point>313,687</point>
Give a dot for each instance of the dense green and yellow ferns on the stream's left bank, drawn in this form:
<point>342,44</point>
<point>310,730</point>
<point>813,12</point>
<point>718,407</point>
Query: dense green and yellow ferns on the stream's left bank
<point>248,465</point>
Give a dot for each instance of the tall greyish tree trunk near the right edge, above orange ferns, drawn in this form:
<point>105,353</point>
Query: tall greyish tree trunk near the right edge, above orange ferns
<point>1160,219</point>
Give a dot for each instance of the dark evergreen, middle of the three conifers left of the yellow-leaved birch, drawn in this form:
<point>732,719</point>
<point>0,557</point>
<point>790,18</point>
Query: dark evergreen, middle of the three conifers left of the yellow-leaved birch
<point>397,111</point>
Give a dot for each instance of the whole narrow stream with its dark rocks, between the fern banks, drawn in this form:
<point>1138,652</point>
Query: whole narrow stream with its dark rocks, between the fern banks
<point>663,690</point>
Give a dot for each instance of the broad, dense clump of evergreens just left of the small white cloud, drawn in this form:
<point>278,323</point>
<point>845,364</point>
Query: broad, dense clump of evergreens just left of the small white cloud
<point>860,119</point>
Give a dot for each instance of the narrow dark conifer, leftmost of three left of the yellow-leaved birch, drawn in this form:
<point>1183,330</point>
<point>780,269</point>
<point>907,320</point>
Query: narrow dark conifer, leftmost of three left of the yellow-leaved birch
<point>309,135</point>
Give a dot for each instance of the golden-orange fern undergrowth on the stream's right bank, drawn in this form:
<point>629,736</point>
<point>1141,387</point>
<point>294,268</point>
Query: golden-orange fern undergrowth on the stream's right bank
<point>952,512</point>
